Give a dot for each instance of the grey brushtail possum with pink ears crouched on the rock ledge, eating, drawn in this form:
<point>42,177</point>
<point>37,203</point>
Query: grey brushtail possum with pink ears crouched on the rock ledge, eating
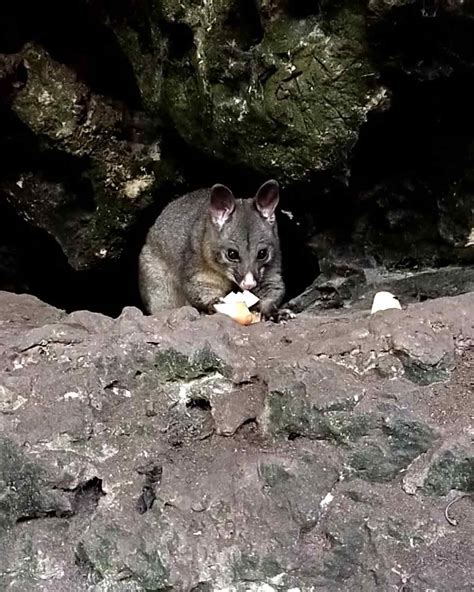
<point>206,244</point>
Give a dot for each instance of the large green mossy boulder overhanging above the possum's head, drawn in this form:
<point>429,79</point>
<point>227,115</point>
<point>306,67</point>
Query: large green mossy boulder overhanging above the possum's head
<point>284,88</point>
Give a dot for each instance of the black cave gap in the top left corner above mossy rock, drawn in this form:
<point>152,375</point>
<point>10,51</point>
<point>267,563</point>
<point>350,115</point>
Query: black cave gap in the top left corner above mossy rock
<point>75,34</point>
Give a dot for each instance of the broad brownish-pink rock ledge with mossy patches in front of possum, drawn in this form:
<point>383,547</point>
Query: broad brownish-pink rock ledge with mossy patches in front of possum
<point>187,453</point>
